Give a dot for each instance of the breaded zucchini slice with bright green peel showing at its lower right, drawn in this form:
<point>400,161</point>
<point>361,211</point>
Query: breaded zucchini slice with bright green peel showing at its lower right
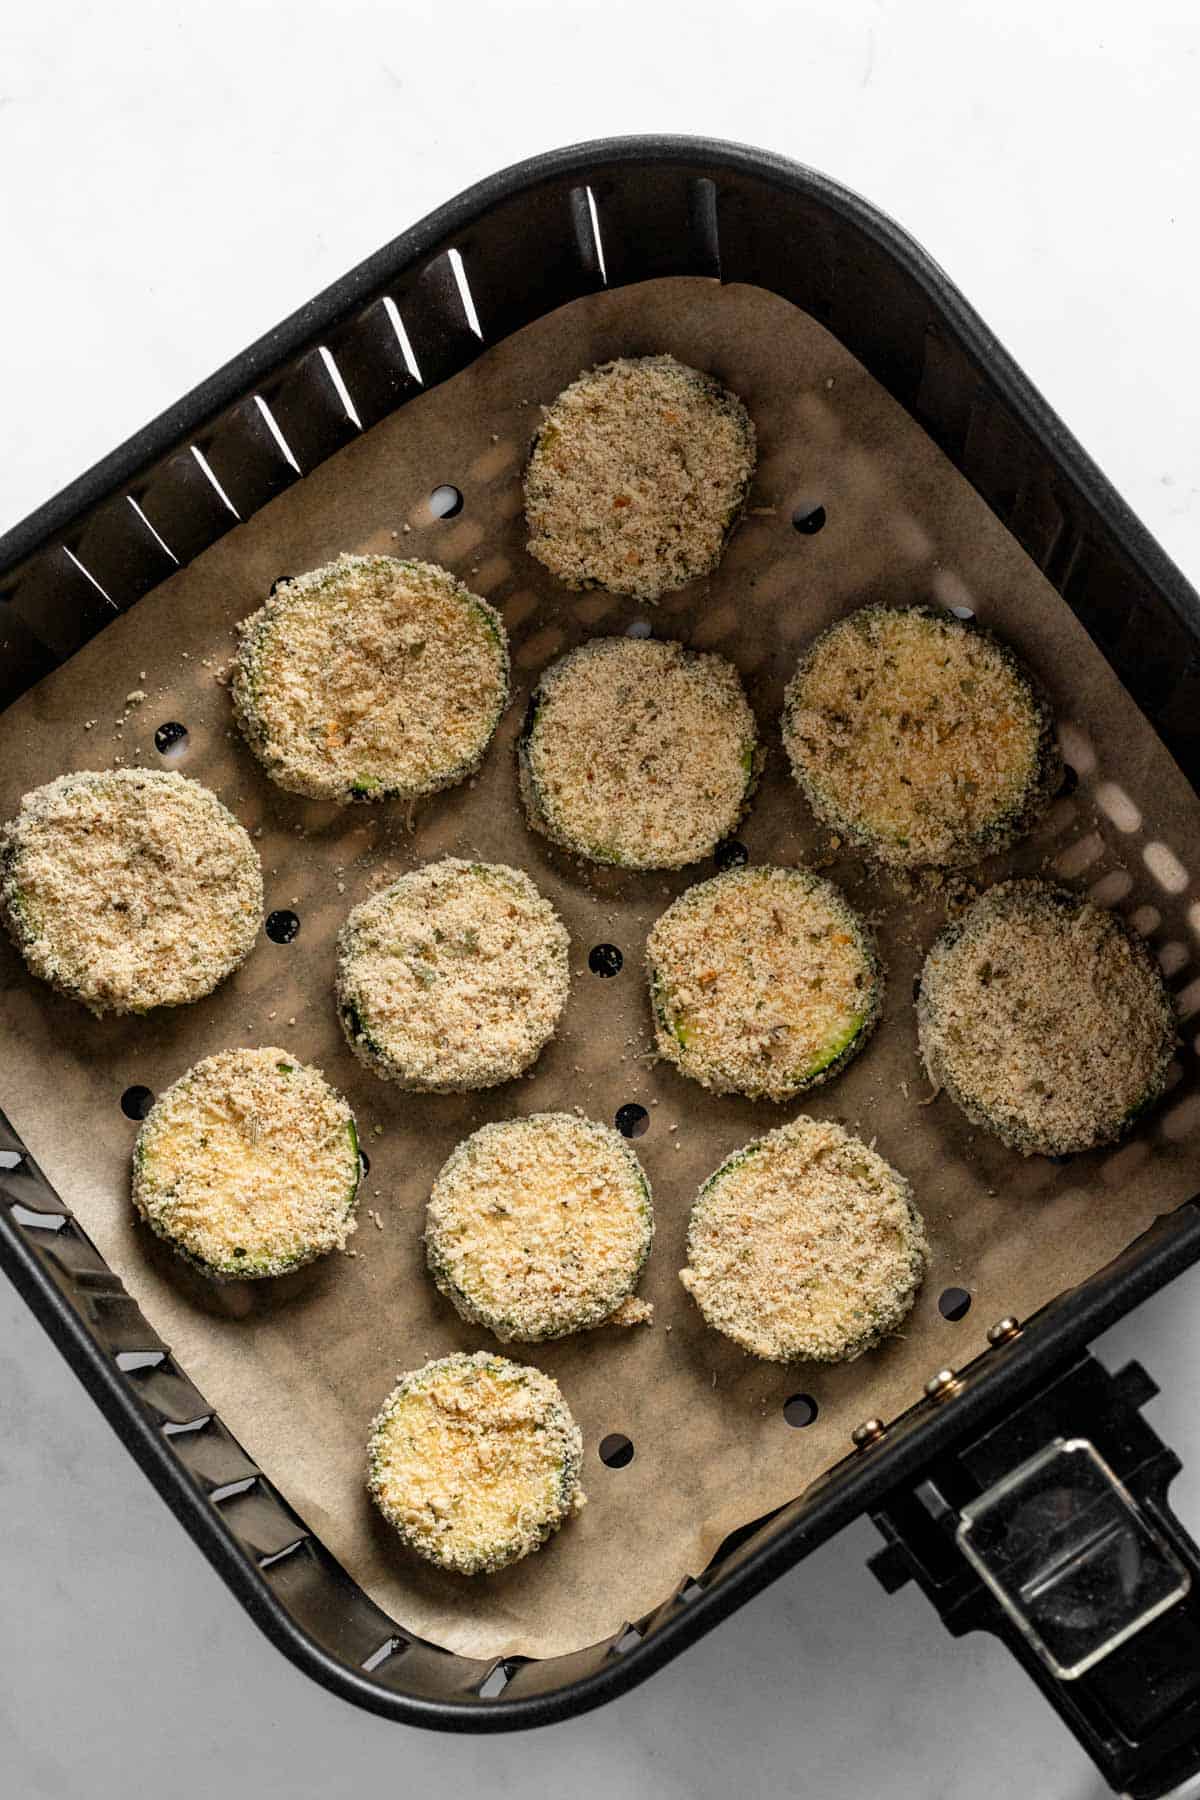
<point>764,982</point>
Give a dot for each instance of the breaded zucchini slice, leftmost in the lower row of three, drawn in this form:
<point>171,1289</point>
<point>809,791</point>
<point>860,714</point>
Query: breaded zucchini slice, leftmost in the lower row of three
<point>249,1165</point>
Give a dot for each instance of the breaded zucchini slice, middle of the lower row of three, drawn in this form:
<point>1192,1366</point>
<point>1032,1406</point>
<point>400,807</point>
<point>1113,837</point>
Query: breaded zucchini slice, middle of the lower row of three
<point>541,1227</point>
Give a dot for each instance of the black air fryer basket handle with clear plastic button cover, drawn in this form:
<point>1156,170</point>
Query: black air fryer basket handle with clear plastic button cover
<point>1053,1531</point>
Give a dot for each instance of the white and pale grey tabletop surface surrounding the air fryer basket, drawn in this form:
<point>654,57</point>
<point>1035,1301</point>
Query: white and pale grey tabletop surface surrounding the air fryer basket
<point>175,181</point>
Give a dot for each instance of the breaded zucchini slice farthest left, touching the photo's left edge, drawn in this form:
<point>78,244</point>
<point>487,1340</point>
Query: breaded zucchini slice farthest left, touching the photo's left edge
<point>130,888</point>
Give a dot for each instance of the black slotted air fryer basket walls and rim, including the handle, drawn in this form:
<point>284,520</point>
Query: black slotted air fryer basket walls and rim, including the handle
<point>1025,1493</point>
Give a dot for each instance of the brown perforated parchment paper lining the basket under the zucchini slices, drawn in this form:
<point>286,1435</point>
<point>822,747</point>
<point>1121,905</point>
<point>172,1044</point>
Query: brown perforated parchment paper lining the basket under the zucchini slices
<point>300,1367</point>
